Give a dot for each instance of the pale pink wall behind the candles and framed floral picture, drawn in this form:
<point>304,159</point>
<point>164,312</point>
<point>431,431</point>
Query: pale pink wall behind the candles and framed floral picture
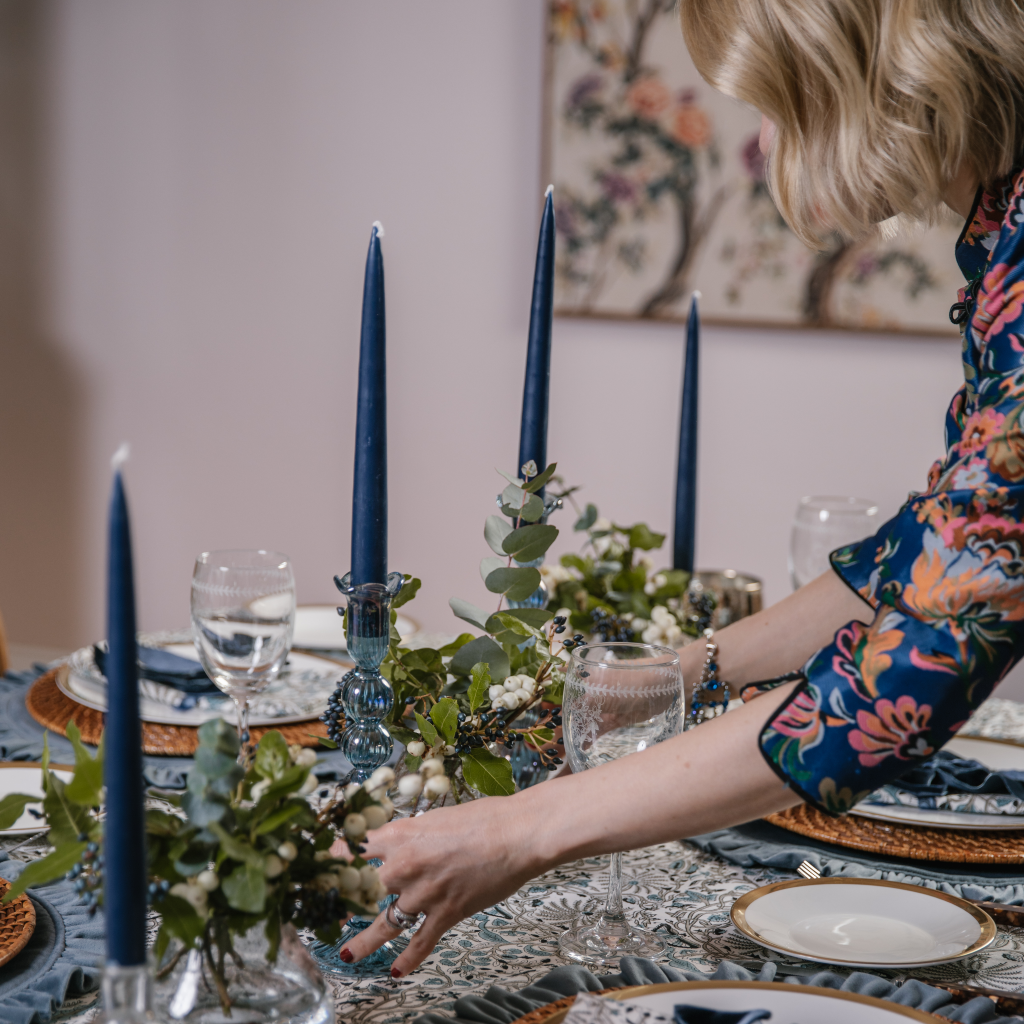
<point>211,174</point>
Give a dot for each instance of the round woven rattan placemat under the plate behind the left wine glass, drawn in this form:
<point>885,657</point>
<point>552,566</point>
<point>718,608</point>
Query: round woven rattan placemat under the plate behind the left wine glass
<point>55,710</point>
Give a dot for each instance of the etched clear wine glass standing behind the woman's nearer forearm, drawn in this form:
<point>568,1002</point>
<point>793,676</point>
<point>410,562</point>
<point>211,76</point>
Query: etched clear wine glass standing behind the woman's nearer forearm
<point>620,699</point>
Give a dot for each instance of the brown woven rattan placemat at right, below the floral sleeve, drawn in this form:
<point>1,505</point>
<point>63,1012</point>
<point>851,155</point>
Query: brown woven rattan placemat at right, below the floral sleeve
<point>914,842</point>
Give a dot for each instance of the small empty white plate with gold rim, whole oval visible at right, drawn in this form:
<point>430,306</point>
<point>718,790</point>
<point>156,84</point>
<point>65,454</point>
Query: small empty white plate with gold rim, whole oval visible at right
<point>863,923</point>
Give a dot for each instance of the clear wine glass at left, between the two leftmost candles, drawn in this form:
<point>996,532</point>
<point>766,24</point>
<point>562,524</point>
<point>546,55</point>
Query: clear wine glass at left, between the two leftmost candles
<point>243,617</point>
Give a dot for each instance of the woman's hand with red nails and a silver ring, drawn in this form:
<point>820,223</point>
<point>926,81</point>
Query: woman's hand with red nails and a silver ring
<point>449,864</point>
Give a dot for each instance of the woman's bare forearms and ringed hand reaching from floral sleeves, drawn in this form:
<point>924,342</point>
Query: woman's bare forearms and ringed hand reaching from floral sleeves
<point>455,862</point>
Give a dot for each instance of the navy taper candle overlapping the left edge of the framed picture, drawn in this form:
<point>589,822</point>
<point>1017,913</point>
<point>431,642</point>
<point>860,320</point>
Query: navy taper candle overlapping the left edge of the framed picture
<point>534,429</point>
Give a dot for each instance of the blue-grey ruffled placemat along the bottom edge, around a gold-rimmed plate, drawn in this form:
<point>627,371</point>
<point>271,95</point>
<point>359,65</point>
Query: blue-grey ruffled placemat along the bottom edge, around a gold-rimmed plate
<point>499,1006</point>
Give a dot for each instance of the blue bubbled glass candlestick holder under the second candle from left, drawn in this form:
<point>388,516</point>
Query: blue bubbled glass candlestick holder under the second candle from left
<point>364,698</point>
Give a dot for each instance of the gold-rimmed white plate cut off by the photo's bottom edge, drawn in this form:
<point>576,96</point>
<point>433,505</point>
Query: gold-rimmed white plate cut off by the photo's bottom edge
<point>801,1004</point>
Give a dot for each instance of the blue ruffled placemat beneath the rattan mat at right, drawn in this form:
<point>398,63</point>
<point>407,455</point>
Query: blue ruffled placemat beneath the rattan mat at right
<point>764,845</point>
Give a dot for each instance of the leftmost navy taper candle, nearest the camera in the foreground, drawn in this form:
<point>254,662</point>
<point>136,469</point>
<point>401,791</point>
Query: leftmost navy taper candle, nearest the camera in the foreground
<point>124,849</point>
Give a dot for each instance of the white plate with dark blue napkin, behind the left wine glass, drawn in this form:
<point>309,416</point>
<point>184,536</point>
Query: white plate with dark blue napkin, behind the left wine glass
<point>300,694</point>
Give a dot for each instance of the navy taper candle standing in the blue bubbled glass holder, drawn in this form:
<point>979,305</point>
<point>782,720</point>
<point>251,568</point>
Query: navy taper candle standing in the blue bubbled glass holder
<point>370,484</point>
